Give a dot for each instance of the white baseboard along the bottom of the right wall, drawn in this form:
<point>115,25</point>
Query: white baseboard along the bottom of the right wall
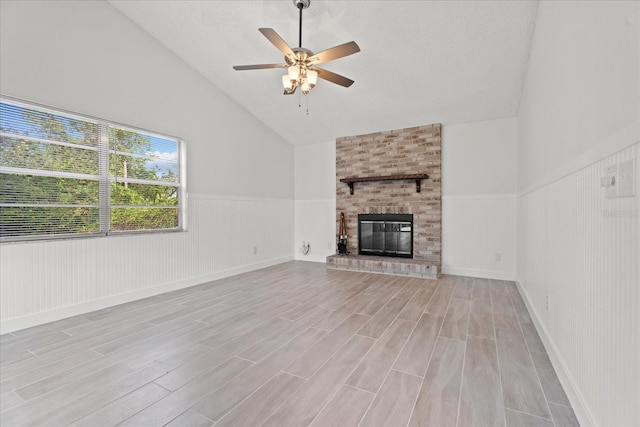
<point>578,403</point>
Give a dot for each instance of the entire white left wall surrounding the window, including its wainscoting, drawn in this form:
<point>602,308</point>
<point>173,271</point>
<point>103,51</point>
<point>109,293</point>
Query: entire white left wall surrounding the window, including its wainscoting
<point>88,57</point>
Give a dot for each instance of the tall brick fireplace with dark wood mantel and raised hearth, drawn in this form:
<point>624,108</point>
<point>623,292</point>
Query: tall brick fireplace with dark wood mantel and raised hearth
<point>396,153</point>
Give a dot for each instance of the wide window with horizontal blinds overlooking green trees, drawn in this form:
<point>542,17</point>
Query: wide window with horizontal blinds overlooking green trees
<point>66,175</point>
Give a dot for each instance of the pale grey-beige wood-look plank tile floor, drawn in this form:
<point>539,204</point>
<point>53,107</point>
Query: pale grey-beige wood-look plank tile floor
<point>291,345</point>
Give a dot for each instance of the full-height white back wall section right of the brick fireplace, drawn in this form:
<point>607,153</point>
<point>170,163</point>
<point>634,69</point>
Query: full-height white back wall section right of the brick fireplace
<point>479,183</point>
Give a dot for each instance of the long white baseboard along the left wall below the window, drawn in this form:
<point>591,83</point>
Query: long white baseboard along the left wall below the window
<point>16,324</point>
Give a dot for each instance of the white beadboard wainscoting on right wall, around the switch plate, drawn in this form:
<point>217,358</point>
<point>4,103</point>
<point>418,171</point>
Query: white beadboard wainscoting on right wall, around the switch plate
<point>578,270</point>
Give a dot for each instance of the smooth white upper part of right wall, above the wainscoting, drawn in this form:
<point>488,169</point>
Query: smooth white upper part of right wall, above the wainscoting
<point>580,99</point>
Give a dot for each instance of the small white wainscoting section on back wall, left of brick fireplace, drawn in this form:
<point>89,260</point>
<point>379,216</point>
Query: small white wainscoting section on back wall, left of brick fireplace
<point>315,225</point>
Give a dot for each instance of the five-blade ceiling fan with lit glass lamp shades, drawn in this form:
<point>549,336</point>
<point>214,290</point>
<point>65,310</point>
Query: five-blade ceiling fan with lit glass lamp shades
<point>302,64</point>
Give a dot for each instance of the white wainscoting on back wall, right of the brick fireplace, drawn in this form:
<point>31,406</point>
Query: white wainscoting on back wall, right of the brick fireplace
<point>479,235</point>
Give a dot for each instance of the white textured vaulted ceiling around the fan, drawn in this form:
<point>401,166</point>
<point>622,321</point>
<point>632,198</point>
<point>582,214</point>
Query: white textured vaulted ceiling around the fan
<point>421,62</point>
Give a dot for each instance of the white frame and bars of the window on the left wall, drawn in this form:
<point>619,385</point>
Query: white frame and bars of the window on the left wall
<point>104,177</point>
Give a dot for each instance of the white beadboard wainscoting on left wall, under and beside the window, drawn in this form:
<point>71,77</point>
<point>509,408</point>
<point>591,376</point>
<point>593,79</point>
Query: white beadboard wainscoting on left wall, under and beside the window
<point>50,280</point>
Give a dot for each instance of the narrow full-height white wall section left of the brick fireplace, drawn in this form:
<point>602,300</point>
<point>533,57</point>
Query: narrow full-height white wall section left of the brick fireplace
<point>315,200</point>
